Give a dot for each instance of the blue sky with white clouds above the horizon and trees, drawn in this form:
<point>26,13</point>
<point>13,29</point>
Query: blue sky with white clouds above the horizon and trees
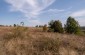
<point>40,12</point>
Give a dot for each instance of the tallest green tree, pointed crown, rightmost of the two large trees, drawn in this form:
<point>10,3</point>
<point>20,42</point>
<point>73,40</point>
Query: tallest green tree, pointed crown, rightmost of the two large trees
<point>72,26</point>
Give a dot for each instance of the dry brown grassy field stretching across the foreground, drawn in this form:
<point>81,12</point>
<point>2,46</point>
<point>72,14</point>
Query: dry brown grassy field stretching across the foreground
<point>33,41</point>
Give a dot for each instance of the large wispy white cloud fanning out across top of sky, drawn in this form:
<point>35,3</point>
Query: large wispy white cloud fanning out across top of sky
<point>30,8</point>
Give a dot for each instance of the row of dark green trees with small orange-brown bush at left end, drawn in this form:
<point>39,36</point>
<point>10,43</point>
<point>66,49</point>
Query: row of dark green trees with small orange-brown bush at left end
<point>72,26</point>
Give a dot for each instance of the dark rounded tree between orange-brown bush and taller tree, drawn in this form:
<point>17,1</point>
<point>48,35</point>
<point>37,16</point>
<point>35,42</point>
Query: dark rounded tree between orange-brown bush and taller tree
<point>56,26</point>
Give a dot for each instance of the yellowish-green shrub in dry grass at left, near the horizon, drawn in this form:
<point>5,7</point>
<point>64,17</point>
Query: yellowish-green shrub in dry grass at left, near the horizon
<point>17,32</point>
